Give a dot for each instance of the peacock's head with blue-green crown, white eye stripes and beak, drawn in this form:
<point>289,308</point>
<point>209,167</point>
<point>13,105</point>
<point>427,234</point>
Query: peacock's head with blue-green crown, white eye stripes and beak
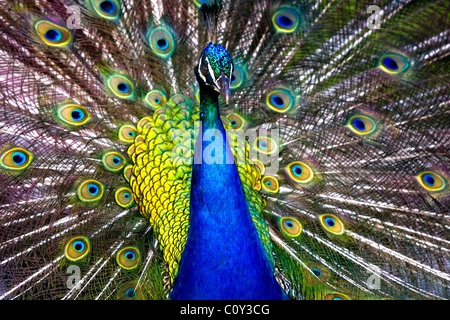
<point>214,70</point>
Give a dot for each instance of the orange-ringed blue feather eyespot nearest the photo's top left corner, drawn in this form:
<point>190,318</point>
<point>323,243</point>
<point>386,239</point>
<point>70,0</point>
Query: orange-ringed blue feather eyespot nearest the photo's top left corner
<point>52,34</point>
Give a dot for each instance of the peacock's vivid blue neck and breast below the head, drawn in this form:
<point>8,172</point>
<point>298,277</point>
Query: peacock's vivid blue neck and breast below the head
<point>223,257</point>
